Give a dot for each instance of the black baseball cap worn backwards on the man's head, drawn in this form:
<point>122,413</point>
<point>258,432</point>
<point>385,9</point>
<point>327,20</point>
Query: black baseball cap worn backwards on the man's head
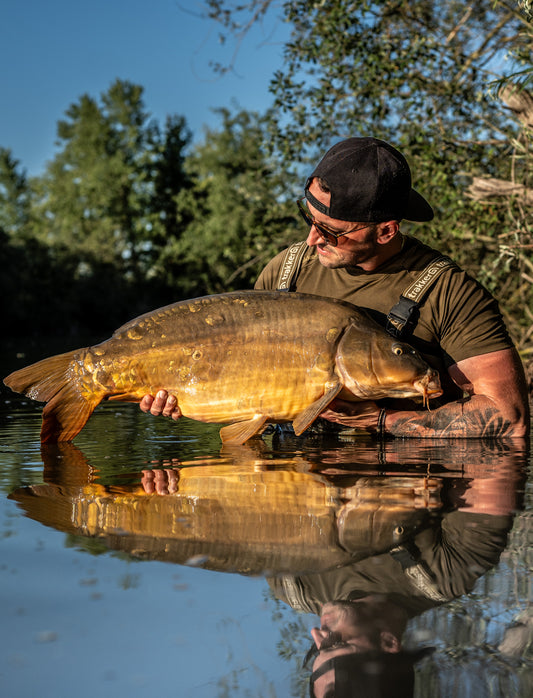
<point>369,181</point>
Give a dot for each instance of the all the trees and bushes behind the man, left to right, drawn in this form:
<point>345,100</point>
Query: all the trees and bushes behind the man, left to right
<point>129,215</point>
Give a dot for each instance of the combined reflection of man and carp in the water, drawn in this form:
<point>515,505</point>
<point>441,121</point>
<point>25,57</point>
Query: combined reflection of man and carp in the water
<point>366,536</point>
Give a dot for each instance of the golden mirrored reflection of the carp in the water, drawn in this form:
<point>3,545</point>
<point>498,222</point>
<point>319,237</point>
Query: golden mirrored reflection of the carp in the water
<point>241,513</point>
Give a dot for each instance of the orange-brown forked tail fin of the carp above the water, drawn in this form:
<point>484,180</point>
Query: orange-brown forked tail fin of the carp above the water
<point>67,410</point>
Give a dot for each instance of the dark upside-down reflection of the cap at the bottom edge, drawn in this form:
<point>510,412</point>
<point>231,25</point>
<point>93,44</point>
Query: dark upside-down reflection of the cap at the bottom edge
<point>372,674</point>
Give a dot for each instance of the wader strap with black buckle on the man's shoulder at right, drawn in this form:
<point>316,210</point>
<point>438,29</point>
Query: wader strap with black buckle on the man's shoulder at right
<point>402,318</point>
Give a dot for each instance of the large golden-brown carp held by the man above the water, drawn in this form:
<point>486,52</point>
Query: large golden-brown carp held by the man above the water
<point>247,357</point>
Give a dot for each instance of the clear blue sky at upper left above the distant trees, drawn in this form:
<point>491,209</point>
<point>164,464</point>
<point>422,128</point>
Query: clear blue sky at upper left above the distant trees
<point>53,51</point>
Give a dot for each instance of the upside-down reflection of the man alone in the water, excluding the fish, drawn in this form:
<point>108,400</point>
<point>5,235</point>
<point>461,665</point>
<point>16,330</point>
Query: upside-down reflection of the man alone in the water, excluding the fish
<point>364,607</point>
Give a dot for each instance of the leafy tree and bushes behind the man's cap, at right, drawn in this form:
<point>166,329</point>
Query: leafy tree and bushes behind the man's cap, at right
<point>418,75</point>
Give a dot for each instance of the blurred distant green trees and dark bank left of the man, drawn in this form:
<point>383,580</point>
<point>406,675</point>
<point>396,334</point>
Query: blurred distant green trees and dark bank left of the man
<point>127,216</point>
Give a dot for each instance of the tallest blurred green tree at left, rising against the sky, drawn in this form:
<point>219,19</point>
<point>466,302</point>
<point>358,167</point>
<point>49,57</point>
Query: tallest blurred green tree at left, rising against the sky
<point>107,194</point>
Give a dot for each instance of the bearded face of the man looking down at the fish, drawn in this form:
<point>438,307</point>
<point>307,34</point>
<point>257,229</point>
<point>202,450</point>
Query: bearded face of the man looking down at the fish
<point>352,249</point>
